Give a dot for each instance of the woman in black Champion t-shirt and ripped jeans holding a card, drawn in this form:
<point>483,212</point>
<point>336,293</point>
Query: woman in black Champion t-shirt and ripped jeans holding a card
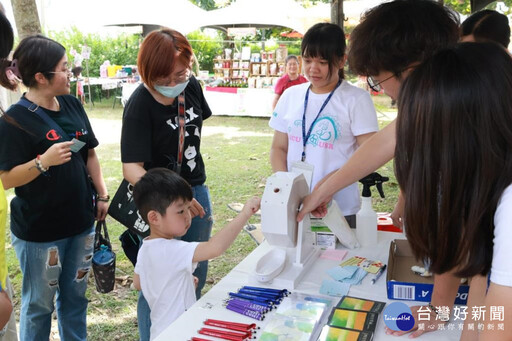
<point>52,214</point>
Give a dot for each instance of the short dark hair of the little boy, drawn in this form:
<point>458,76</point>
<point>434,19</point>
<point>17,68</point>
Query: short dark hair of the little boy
<point>158,189</point>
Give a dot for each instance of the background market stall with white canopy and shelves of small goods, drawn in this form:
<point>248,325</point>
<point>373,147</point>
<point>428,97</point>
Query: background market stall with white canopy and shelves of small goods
<point>245,79</point>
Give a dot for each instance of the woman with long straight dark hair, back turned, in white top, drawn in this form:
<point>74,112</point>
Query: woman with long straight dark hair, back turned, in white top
<point>453,161</point>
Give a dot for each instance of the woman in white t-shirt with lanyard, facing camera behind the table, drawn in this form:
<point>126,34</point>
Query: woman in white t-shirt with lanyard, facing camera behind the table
<point>331,115</point>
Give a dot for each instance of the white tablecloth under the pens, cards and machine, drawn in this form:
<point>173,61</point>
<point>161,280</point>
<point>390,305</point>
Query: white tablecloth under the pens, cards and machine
<point>211,304</point>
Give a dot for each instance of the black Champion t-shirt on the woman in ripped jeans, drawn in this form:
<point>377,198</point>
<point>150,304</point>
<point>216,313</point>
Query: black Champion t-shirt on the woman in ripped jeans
<point>58,205</point>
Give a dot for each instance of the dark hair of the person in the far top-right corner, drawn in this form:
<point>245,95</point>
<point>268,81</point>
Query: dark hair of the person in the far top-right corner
<point>487,25</point>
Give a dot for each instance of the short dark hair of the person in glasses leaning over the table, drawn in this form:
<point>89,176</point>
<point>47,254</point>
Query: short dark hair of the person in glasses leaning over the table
<point>393,35</point>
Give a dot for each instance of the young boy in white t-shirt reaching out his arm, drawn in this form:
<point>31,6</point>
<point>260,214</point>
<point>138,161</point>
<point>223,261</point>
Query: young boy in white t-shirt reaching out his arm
<point>165,264</point>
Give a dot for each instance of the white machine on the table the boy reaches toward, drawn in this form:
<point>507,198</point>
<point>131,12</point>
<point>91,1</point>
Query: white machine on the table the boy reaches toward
<point>293,249</point>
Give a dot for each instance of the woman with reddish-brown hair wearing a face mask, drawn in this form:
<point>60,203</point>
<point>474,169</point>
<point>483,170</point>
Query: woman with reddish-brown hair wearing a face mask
<point>151,131</point>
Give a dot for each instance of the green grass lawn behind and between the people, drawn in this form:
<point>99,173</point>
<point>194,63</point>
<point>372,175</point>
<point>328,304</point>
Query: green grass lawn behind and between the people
<point>236,154</point>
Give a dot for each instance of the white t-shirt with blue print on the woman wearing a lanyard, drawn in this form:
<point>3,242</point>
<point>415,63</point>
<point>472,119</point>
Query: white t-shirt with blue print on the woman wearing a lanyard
<point>349,113</point>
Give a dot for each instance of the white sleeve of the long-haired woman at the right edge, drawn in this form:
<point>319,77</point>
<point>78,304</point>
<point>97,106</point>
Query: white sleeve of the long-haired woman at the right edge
<point>501,268</point>
